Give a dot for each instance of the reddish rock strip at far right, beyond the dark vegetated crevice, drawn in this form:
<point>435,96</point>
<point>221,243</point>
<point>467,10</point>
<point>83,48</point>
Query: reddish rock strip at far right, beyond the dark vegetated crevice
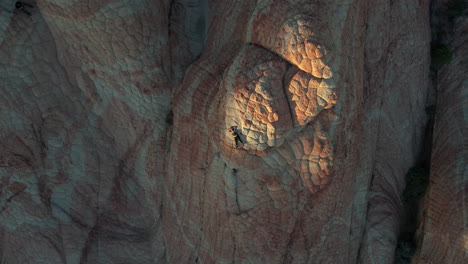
<point>444,231</point>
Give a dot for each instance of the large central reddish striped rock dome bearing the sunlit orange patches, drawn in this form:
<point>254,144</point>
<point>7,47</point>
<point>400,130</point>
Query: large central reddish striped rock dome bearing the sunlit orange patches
<point>329,116</point>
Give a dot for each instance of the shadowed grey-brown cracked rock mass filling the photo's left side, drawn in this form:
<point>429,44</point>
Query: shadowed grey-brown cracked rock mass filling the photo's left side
<point>82,126</point>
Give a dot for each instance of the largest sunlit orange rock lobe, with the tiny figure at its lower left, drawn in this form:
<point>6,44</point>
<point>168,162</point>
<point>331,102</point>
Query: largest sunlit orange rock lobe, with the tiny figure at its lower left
<point>255,99</point>
